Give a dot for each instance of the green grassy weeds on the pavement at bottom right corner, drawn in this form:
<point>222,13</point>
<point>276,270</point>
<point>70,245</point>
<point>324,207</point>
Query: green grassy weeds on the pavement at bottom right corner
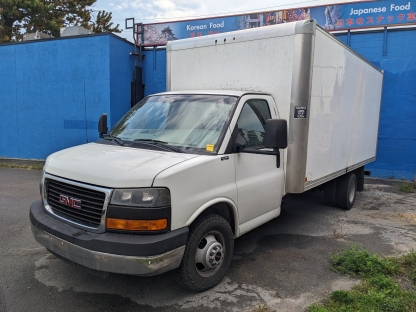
<point>378,291</point>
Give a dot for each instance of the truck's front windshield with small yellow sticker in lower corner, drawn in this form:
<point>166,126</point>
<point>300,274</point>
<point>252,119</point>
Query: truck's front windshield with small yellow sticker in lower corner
<point>188,122</point>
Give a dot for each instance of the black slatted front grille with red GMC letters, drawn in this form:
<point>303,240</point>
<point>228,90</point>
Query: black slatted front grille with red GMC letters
<point>92,202</point>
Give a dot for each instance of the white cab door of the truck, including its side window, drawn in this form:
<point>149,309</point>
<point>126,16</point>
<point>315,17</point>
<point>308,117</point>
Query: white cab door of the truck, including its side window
<point>259,182</point>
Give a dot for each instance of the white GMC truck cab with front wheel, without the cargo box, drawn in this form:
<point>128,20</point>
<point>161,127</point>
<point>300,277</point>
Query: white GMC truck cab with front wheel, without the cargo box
<point>171,185</point>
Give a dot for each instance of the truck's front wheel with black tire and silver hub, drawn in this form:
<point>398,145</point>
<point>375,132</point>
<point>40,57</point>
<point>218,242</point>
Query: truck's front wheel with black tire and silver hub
<point>207,254</point>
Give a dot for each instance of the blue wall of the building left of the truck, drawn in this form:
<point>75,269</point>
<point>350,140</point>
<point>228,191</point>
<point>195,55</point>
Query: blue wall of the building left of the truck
<point>53,91</point>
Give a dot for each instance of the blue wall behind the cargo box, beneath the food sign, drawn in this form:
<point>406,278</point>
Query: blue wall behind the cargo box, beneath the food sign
<point>396,152</point>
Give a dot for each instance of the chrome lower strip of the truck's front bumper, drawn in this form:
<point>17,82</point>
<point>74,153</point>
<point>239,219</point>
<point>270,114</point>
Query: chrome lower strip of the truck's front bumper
<point>144,266</point>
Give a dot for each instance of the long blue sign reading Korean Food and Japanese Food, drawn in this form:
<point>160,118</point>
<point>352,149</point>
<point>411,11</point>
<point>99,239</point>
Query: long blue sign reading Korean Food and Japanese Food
<point>331,17</point>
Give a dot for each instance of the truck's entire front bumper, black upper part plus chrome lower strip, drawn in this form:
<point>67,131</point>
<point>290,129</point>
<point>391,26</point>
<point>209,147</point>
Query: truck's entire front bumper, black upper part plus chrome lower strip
<point>109,252</point>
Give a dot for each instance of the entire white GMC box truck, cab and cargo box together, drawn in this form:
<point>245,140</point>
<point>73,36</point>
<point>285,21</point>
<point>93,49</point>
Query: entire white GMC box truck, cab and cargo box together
<point>265,112</point>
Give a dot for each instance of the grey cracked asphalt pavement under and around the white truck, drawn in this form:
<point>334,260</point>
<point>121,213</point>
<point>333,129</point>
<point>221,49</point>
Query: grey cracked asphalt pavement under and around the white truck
<point>284,264</point>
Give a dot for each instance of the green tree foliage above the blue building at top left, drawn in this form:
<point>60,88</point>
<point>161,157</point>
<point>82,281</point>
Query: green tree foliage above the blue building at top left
<point>48,16</point>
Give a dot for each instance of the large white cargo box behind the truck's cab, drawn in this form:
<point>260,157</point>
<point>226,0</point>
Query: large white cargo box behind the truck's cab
<point>329,94</point>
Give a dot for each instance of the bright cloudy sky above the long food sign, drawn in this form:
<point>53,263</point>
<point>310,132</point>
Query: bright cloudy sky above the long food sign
<point>151,11</point>
